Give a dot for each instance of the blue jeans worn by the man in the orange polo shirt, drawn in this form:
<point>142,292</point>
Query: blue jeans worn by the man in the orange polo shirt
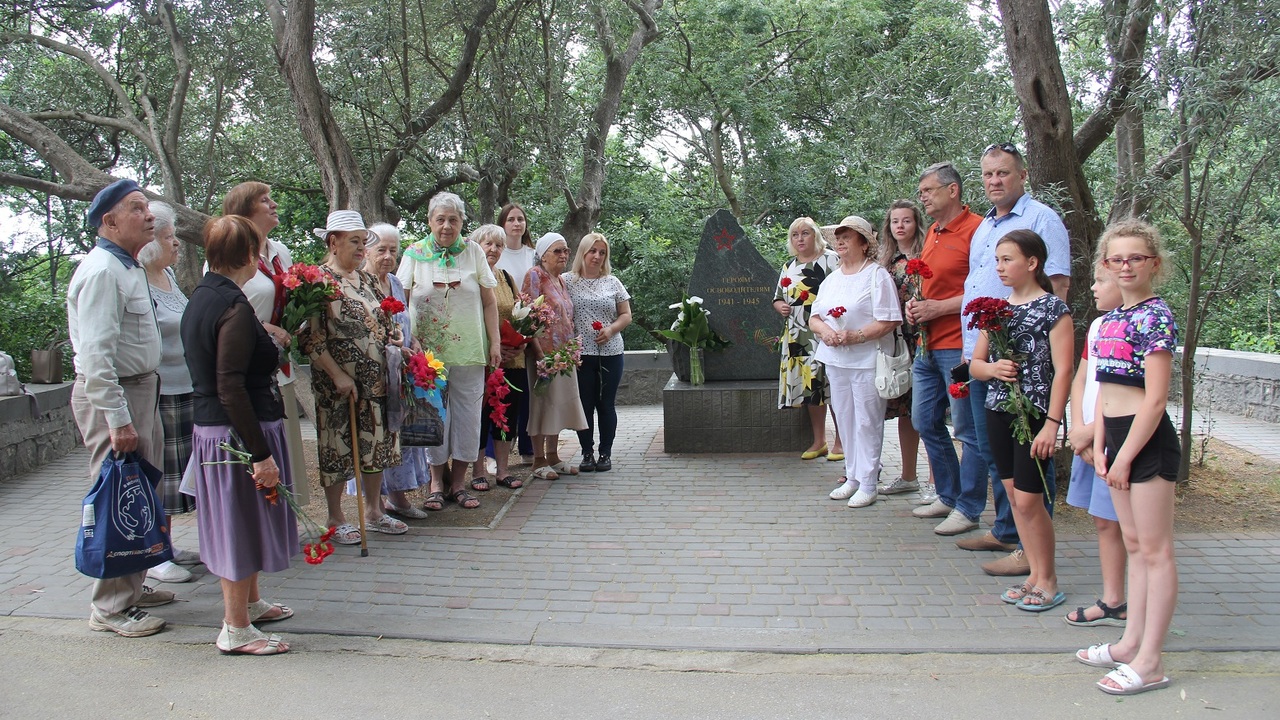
<point>961,482</point>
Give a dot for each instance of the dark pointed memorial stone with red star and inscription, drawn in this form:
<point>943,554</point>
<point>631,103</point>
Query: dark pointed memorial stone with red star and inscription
<point>737,285</point>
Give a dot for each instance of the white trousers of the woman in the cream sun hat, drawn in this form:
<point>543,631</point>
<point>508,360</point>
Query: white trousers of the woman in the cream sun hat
<point>860,412</point>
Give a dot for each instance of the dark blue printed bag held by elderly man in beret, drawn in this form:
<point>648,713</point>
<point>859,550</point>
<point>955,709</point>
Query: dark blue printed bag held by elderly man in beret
<point>124,525</point>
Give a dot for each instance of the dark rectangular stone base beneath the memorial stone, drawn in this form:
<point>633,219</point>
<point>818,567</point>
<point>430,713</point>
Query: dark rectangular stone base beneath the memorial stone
<point>732,417</point>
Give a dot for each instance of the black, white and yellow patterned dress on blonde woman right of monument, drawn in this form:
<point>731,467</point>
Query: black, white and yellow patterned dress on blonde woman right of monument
<point>802,380</point>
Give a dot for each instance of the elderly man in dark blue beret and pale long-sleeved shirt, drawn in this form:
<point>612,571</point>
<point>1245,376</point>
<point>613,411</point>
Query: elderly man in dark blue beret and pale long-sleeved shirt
<point>117,344</point>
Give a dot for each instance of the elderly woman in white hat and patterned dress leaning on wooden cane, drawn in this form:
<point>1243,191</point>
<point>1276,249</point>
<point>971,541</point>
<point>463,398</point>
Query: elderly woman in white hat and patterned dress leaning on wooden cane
<point>346,347</point>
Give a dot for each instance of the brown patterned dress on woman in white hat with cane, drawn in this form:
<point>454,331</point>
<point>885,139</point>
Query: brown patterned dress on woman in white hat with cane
<point>355,334</point>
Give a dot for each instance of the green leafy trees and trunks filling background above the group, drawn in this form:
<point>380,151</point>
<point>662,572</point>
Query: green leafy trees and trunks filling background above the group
<point>643,117</point>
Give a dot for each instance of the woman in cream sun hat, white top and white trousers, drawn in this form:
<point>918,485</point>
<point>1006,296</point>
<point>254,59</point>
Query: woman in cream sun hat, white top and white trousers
<point>857,308</point>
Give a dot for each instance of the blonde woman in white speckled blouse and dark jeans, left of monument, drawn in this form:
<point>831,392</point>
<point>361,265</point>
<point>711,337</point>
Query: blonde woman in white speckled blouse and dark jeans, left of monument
<point>602,311</point>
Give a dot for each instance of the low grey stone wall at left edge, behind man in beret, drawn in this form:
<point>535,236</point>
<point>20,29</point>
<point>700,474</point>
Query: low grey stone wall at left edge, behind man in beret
<point>29,439</point>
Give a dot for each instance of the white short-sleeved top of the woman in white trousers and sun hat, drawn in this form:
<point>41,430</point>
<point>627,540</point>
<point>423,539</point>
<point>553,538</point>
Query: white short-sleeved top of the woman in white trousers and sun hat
<point>867,295</point>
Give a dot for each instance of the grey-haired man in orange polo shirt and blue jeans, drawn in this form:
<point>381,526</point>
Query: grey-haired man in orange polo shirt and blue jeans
<point>961,482</point>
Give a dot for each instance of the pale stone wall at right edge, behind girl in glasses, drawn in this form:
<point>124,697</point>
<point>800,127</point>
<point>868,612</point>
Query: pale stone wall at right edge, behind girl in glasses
<point>1233,382</point>
